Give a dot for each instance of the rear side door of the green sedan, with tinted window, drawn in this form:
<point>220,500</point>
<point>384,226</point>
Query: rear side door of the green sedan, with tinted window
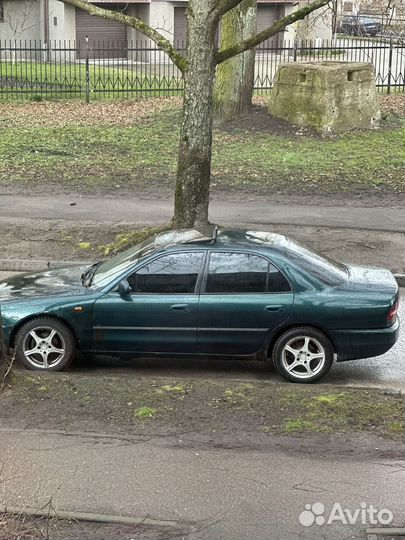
<point>243,297</point>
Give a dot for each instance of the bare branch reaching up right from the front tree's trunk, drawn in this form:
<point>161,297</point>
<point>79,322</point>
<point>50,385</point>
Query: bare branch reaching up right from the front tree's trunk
<point>268,32</point>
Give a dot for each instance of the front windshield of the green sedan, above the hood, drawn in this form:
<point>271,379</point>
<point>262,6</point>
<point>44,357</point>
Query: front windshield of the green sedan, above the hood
<point>108,270</point>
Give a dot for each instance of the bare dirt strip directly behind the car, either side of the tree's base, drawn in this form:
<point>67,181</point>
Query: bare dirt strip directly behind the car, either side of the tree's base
<point>87,241</point>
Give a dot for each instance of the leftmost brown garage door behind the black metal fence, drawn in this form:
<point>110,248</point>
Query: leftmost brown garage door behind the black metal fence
<point>106,38</point>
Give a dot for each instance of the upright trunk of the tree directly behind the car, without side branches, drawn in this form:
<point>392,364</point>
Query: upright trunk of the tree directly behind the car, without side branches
<point>194,159</point>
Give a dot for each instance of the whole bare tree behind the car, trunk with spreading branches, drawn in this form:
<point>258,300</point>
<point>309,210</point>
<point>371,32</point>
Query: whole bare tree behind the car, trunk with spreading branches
<point>198,68</point>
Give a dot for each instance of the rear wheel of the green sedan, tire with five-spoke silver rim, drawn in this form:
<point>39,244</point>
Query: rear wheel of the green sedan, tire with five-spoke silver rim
<point>303,355</point>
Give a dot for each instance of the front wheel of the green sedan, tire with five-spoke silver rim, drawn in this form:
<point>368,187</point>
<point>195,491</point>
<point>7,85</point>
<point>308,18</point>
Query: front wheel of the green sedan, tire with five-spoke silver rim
<point>45,344</point>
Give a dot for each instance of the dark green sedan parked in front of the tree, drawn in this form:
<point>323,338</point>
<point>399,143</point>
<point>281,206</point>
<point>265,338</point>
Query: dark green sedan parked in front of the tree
<point>226,293</point>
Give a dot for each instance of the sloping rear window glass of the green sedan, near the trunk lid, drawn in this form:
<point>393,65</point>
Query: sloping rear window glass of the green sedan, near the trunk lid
<point>323,268</point>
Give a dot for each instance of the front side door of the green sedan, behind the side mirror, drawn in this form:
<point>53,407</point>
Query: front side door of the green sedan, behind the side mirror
<point>159,313</point>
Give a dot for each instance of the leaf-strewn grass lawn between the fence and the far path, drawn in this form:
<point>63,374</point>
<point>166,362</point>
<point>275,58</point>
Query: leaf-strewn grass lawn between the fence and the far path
<point>132,145</point>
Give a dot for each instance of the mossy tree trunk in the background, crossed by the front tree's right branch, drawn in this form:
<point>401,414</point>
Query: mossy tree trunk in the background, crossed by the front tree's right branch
<point>235,78</point>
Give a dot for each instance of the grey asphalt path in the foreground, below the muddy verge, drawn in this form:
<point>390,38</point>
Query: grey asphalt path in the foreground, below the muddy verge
<point>206,493</point>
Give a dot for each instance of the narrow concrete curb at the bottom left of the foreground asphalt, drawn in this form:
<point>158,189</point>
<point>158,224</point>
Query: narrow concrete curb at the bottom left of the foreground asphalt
<point>85,516</point>
